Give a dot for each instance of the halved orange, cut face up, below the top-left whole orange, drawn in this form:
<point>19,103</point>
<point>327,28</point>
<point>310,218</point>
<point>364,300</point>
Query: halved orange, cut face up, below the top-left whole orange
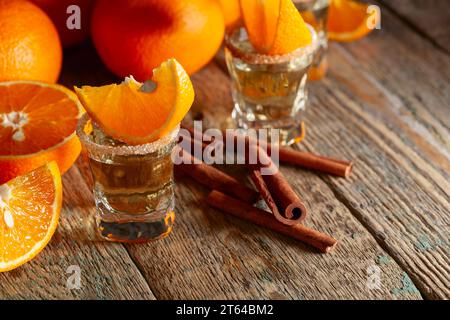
<point>37,125</point>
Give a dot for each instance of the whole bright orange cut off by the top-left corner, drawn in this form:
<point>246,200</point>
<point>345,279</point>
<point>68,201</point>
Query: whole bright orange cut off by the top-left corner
<point>29,44</point>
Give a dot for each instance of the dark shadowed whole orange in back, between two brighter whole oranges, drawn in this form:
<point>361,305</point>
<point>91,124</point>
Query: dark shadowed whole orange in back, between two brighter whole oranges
<point>57,11</point>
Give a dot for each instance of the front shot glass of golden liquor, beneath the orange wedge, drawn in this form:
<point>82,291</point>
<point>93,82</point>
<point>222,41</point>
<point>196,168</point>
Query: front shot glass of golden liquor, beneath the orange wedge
<point>133,185</point>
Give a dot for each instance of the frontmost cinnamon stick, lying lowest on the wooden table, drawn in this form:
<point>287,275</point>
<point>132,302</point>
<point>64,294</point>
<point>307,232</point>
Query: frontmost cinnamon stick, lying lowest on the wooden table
<point>246,211</point>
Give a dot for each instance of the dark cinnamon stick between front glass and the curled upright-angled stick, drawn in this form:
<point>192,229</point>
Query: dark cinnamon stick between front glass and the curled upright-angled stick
<point>215,179</point>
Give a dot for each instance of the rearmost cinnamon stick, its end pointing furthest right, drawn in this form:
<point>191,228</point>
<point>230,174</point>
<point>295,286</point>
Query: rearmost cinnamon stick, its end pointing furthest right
<point>341,168</point>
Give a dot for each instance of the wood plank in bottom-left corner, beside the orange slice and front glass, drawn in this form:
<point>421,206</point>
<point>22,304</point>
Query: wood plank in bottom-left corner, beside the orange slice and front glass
<point>107,271</point>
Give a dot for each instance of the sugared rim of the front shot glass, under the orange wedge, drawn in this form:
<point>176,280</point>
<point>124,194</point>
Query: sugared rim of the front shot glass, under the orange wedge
<point>123,150</point>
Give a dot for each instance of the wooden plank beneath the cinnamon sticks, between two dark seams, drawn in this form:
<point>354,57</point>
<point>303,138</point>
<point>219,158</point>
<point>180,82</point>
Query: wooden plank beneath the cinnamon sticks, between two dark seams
<point>210,255</point>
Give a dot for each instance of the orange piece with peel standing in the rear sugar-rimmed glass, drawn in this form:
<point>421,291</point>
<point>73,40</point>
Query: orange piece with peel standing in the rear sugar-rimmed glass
<point>274,27</point>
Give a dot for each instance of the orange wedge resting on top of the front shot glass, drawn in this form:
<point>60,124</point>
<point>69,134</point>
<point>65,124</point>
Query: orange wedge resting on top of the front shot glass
<point>131,113</point>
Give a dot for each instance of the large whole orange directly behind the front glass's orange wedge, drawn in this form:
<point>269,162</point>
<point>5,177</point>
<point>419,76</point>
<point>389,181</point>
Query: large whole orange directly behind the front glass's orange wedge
<point>134,37</point>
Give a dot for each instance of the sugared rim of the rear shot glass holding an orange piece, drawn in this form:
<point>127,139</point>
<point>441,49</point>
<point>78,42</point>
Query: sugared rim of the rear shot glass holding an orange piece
<point>259,58</point>
